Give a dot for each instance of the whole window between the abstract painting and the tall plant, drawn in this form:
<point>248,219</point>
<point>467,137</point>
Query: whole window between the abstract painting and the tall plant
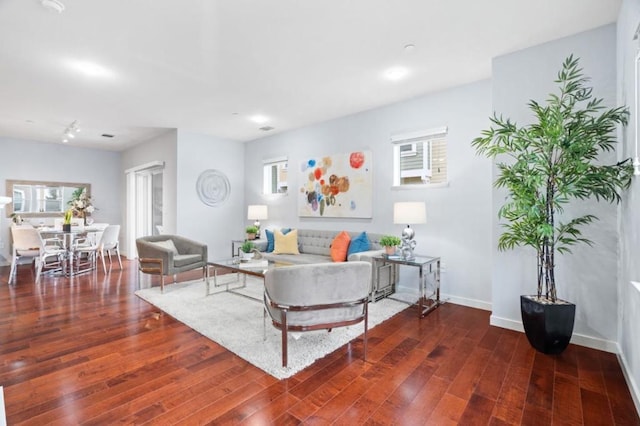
<point>420,158</point>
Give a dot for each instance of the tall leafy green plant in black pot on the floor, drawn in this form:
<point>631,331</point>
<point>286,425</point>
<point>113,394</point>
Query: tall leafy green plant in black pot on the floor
<point>549,163</point>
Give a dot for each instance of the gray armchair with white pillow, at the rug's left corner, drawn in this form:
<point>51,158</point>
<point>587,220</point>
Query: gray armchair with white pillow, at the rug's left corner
<point>169,255</point>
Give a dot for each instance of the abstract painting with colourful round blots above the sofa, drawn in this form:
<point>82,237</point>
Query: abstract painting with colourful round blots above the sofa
<point>338,185</point>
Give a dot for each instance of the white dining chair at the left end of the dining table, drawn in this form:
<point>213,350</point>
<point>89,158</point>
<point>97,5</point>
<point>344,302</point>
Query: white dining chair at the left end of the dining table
<point>28,243</point>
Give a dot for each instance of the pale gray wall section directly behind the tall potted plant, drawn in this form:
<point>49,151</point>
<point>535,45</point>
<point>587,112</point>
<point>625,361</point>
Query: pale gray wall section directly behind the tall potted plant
<point>587,277</point>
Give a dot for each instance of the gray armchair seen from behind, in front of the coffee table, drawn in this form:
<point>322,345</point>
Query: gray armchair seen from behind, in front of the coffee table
<point>317,296</point>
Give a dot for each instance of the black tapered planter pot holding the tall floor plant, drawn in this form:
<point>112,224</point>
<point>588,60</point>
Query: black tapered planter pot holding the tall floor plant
<point>548,326</point>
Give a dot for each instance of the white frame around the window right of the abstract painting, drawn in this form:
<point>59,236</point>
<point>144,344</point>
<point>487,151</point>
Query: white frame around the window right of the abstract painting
<point>421,136</point>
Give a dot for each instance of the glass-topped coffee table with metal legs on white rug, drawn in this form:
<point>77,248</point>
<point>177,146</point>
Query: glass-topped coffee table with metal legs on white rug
<point>242,269</point>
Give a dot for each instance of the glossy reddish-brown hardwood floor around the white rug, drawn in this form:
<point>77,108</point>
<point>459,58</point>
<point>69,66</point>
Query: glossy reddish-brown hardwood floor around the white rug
<point>86,350</point>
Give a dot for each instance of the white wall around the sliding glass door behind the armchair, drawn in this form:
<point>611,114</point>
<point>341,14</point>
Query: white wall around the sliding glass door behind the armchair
<point>161,148</point>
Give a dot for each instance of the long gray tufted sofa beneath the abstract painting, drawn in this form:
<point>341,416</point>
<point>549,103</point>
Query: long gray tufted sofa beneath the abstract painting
<point>315,247</point>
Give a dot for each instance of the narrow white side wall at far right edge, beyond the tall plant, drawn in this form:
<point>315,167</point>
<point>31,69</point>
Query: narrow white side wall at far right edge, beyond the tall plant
<point>629,296</point>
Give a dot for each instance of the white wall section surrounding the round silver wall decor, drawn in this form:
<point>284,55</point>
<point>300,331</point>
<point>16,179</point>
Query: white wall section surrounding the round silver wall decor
<point>216,226</point>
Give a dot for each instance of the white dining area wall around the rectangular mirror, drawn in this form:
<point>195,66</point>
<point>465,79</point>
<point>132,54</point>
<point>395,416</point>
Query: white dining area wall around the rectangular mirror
<point>30,160</point>
